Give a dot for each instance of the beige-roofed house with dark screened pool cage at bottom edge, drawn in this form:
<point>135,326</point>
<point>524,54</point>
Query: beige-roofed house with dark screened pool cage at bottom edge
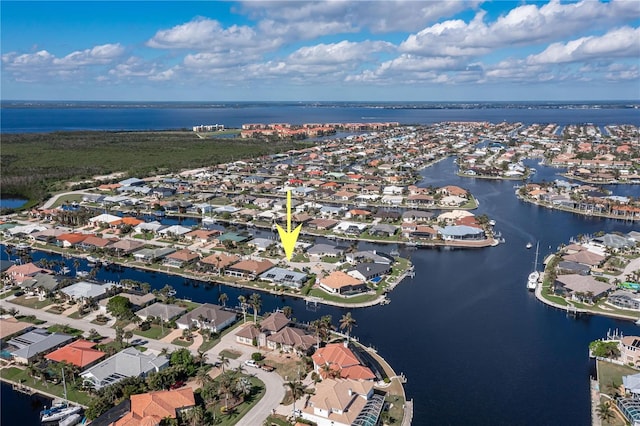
<point>339,402</point>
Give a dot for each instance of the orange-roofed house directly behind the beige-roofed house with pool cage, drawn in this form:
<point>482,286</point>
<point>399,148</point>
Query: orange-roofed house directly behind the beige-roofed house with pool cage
<point>339,357</point>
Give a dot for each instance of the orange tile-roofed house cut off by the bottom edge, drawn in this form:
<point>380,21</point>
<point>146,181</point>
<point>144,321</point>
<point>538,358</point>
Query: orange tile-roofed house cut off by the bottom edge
<point>153,408</point>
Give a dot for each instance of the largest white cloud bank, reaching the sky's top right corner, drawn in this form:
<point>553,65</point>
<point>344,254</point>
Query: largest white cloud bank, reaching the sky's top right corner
<point>523,25</point>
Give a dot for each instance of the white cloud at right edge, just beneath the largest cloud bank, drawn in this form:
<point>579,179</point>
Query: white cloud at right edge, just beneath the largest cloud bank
<point>619,43</point>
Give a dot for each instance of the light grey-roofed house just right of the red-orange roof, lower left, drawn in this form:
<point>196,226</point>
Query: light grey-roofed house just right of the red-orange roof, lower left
<point>129,362</point>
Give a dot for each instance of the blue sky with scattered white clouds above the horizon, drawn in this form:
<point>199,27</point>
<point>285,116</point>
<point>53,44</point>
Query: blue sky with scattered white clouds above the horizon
<point>329,50</point>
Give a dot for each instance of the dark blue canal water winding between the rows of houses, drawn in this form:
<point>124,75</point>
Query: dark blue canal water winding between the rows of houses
<point>476,347</point>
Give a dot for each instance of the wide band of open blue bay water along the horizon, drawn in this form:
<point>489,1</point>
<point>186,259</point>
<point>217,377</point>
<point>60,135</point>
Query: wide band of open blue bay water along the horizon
<point>25,117</point>
